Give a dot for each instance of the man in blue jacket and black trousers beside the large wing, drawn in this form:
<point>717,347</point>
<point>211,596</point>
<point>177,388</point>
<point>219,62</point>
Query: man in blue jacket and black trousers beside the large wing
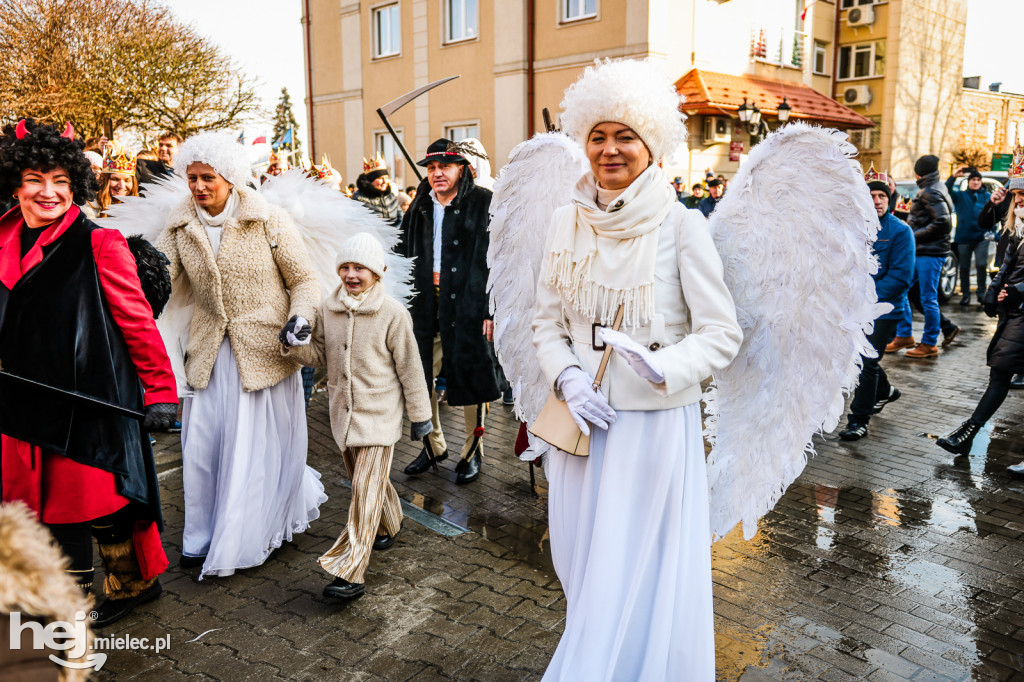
<point>895,250</point>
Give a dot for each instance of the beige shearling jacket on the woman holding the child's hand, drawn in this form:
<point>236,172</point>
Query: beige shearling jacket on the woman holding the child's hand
<point>262,277</point>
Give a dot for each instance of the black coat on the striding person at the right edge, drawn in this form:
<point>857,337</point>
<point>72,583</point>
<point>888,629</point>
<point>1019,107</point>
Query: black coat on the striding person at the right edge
<point>1006,352</point>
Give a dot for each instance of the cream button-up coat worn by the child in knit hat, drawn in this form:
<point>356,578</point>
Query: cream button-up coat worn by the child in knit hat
<point>374,371</point>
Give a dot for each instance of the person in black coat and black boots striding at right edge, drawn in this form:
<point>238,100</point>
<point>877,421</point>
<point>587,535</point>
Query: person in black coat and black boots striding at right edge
<point>1005,300</point>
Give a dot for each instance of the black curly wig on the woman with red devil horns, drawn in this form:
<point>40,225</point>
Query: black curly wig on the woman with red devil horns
<point>44,149</point>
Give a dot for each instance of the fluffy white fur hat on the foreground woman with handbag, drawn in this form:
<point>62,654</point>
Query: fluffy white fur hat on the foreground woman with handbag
<point>635,93</point>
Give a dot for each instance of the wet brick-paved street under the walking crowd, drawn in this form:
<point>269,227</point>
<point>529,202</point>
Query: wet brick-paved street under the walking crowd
<point>886,561</point>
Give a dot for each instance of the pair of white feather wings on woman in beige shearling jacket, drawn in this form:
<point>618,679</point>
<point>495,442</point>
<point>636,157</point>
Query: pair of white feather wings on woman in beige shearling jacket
<point>324,218</point>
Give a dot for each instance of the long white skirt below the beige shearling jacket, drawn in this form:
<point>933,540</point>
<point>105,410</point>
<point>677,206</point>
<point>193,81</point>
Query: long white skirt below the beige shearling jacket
<point>247,486</point>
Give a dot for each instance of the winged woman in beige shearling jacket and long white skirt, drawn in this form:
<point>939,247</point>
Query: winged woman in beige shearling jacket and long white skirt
<point>244,263</point>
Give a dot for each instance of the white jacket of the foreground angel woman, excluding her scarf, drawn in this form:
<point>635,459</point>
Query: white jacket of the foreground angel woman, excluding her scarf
<point>693,333</point>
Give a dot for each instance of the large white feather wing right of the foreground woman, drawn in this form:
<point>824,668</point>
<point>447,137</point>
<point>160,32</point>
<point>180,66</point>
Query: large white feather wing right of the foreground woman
<point>795,232</point>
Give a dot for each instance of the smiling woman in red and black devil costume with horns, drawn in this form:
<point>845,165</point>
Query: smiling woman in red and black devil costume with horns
<point>78,350</point>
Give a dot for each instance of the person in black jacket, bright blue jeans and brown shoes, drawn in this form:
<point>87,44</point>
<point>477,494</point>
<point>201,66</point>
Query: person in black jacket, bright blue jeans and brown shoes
<point>931,221</point>
